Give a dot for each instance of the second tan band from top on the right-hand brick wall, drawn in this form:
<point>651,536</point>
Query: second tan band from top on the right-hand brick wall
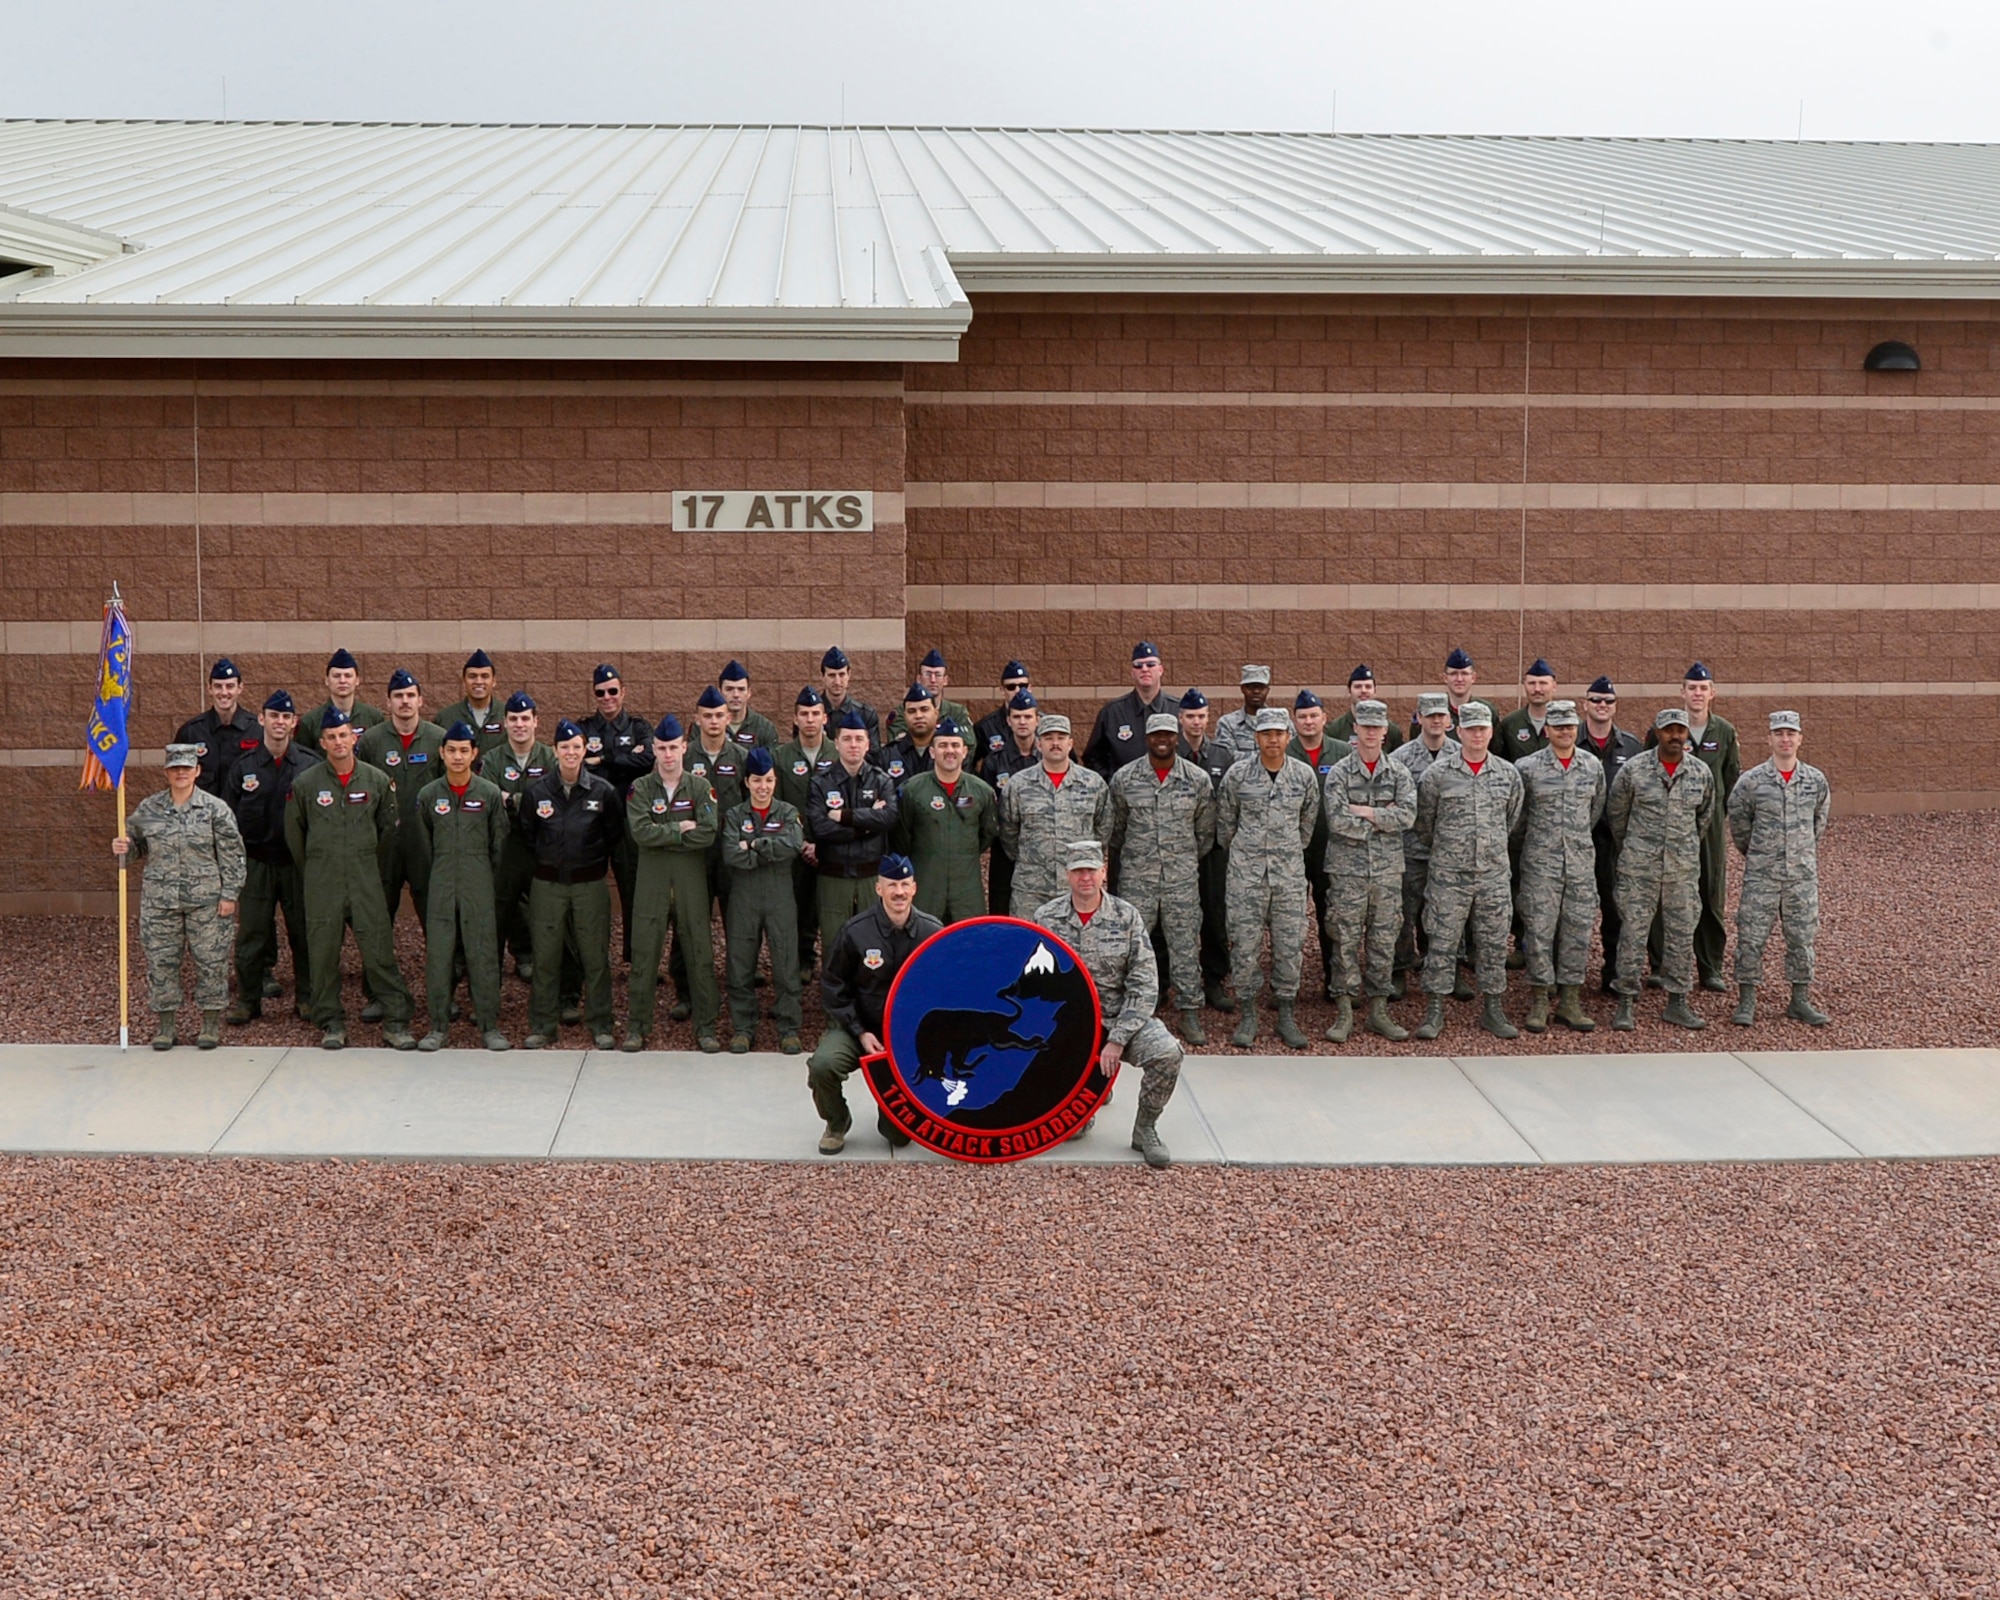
<point>1435,495</point>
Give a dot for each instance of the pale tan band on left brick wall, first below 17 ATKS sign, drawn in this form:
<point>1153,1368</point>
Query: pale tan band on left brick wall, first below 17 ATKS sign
<point>417,635</point>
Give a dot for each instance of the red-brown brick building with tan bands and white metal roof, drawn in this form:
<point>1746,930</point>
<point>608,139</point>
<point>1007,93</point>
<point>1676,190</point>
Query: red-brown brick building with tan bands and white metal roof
<point>1255,397</point>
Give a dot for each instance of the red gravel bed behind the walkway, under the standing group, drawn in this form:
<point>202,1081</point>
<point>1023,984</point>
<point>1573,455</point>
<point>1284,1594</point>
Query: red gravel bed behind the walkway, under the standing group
<point>1905,961</point>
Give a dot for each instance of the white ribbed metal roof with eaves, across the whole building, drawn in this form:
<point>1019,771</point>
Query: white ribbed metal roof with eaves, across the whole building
<point>863,243</point>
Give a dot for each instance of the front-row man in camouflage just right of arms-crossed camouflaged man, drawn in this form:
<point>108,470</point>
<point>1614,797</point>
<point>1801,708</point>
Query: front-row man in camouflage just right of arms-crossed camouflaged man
<point>1465,811</point>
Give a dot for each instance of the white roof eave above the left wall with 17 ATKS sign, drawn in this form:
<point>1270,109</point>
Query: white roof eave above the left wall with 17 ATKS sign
<point>483,333</point>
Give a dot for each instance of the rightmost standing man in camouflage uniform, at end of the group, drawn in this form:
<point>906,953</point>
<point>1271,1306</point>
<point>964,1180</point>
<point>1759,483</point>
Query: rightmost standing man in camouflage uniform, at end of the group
<point>1779,811</point>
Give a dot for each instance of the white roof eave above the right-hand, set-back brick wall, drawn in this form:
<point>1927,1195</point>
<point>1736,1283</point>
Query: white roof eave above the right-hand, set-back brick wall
<point>1805,279</point>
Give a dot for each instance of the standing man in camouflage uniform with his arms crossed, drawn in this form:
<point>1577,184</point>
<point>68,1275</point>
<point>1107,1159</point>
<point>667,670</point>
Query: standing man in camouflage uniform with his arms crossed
<point>1369,803</point>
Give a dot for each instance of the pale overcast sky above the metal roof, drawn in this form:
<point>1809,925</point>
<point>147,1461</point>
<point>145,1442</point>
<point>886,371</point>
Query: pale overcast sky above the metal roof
<point>1917,69</point>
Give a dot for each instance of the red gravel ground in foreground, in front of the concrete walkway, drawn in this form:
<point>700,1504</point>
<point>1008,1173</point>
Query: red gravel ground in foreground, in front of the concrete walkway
<point>237,1379</point>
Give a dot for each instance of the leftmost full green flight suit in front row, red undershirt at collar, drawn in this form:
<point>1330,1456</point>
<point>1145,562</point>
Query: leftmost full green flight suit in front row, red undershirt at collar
<point>339,835</point>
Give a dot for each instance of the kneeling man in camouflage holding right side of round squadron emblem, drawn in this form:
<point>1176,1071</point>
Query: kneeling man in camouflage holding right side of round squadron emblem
<point>1119,957</point>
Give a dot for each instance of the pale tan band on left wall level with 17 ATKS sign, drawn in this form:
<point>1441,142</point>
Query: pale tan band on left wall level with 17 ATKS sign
<point>91,509</point>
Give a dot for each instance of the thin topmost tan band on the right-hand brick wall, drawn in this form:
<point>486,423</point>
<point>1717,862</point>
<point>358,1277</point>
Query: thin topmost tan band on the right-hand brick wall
<point>1457,401</point>
